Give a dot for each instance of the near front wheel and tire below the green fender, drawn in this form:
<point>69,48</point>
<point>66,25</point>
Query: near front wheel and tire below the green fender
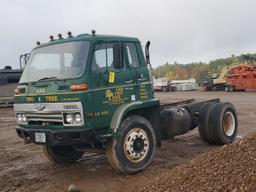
<point>133,148</point>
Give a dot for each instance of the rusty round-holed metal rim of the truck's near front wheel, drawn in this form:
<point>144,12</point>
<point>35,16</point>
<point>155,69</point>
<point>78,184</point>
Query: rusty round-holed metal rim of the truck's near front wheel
<point>136,145</point>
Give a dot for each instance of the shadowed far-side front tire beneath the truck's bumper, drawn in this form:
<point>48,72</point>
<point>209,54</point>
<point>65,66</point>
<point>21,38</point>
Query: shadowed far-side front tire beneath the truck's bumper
<point>62,154</point>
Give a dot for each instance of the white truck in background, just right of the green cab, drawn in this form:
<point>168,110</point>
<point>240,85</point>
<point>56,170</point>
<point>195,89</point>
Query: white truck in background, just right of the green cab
<point>163,85</point>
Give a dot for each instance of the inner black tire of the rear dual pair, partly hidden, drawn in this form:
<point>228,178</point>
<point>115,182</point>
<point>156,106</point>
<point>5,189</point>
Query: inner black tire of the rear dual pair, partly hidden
<point>204,128</point>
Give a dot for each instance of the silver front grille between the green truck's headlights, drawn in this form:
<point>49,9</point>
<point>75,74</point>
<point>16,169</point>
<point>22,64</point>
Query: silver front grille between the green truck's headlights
<point>52,118</point>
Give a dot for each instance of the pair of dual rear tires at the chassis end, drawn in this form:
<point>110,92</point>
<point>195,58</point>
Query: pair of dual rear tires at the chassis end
<point>218,123</point>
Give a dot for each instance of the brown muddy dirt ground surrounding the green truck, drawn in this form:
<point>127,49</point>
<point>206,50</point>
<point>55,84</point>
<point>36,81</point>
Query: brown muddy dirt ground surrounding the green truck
<point>25,168</point>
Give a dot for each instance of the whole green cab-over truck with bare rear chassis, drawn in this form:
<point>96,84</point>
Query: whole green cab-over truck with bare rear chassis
<point>95,92</point>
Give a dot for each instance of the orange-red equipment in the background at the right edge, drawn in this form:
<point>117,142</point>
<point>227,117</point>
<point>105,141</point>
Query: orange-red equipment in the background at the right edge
<point>241,77</point>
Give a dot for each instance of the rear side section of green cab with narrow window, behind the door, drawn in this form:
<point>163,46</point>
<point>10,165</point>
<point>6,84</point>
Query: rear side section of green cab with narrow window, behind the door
<point>134,61</point>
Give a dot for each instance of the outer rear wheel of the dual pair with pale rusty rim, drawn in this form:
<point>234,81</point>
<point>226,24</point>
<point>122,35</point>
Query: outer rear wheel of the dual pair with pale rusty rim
<point>223,123</point>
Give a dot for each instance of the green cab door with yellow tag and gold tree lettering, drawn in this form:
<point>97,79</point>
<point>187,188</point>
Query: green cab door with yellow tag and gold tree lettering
<point>111,82</point>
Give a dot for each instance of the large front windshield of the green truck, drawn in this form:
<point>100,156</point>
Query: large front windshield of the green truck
<point>59,61</point>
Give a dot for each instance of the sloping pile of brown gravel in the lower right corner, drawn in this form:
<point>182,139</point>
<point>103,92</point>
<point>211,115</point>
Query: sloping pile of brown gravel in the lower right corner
<point>229,168</point>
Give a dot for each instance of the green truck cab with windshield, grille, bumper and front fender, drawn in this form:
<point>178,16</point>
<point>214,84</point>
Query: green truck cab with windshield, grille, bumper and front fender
<point>76,91</point>
